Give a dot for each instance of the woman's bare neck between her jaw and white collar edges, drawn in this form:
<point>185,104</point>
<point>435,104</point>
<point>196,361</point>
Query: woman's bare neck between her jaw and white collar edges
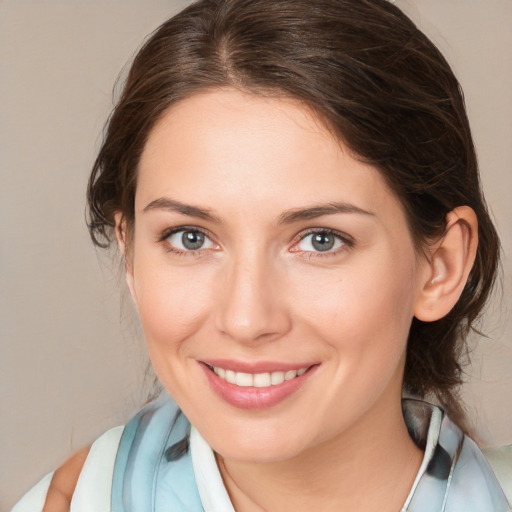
<point>365,468</point>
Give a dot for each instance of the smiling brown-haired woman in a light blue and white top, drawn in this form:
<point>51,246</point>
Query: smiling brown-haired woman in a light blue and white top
<point>295,193</point>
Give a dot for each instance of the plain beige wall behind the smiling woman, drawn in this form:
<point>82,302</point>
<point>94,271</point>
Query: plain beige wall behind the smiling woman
<point>72,362</point>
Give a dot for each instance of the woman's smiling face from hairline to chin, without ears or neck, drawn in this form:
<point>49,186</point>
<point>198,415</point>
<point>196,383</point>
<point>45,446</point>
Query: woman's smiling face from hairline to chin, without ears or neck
<point>274,275</point>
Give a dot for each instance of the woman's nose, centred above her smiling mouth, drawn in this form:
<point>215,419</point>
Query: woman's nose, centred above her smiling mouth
<point>252,307</point>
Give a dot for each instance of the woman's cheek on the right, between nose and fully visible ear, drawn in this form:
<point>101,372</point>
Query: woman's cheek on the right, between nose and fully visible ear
<point>363,307</point>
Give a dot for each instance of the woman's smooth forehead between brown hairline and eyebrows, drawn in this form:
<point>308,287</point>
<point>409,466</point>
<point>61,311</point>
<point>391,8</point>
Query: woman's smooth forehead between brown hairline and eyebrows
<point>222,146</point>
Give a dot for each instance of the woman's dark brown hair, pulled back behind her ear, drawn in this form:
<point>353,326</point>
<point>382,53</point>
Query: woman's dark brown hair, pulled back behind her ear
<point>378,82</point>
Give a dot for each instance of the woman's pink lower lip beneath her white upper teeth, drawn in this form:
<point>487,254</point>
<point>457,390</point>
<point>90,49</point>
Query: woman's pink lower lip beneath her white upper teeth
<point>255,398</point>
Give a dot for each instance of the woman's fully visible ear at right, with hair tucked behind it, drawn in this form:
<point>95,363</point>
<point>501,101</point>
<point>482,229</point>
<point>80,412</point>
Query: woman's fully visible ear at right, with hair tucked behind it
<point>448,267</point>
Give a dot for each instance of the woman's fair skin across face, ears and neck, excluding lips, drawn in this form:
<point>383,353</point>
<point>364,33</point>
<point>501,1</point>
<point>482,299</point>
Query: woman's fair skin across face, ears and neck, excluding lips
<point>259,290</point>
